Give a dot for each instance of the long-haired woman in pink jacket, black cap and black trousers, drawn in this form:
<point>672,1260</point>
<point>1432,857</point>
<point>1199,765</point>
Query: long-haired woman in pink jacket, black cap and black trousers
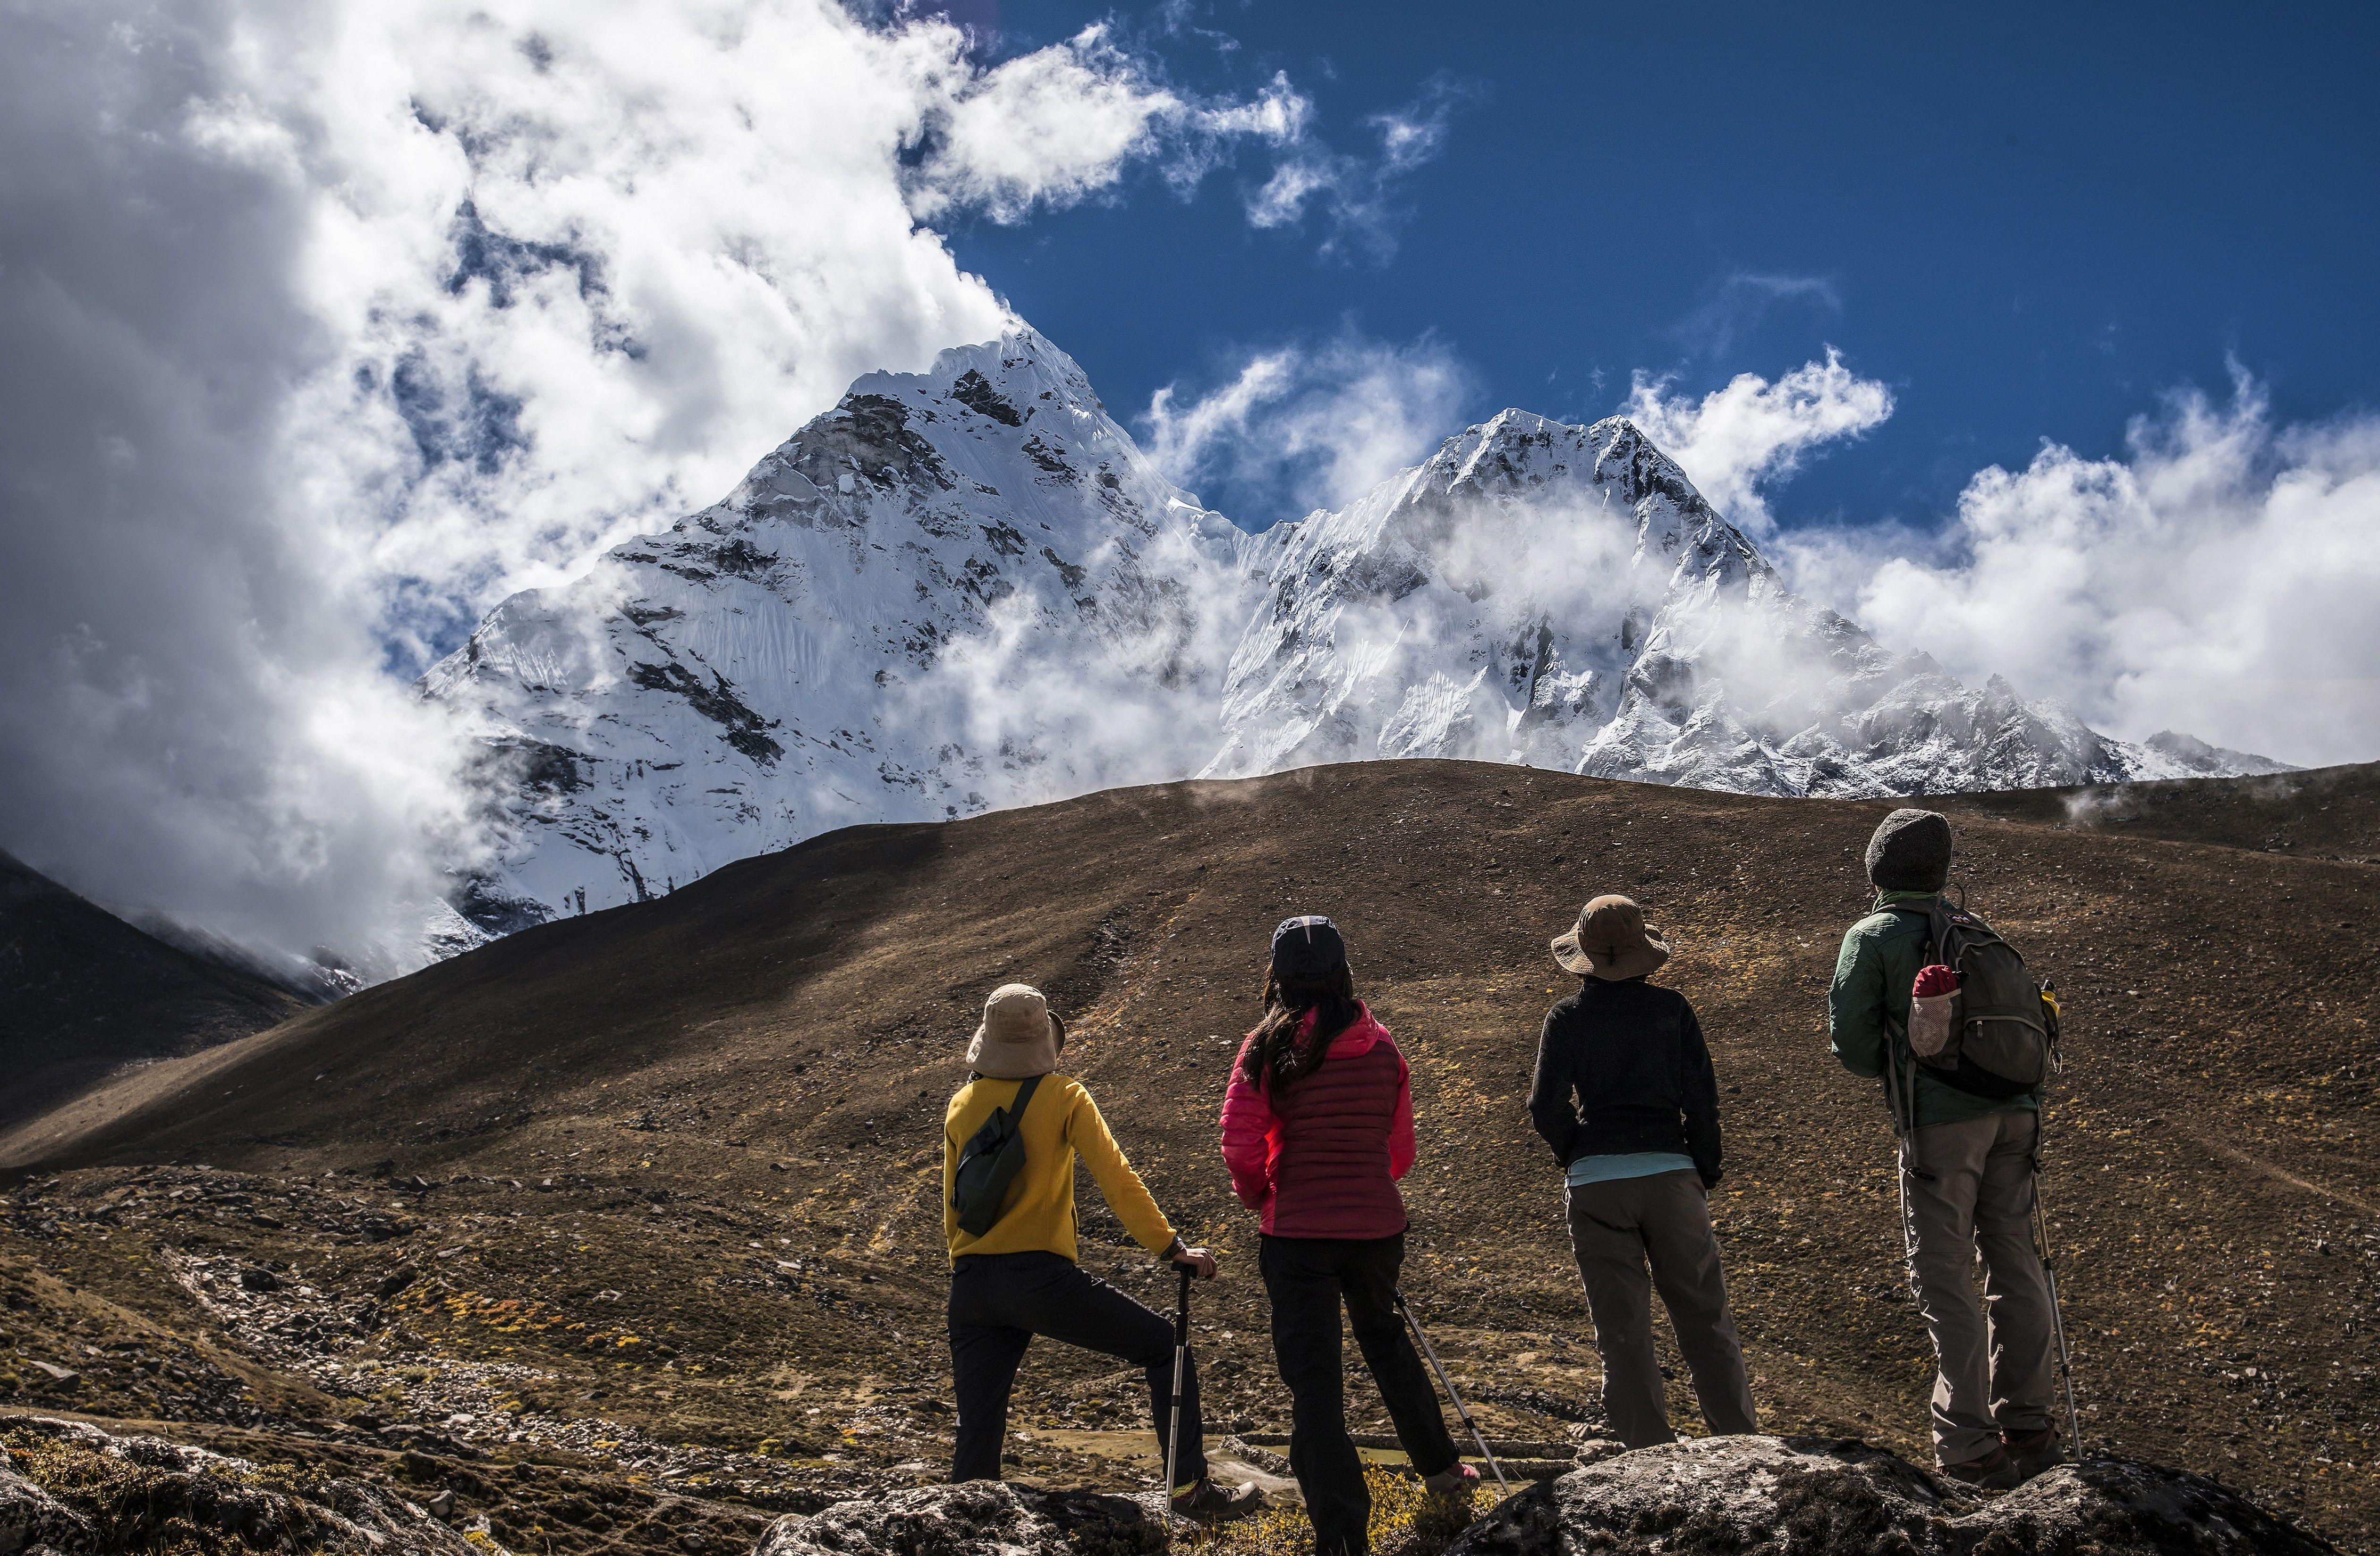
<point>1317,1131</point>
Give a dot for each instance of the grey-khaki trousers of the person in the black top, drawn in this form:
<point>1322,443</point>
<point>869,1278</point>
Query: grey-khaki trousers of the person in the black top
<point>1662,1222</point>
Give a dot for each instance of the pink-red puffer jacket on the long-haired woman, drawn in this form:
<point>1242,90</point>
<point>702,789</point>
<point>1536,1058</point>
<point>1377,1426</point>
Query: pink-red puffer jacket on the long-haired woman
<point>1322,1157</point>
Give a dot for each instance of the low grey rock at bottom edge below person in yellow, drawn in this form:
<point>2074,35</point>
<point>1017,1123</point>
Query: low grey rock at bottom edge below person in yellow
<point>975,1519</point>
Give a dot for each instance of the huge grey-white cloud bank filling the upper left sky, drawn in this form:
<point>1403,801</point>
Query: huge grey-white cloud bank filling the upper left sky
<point>327,327</point>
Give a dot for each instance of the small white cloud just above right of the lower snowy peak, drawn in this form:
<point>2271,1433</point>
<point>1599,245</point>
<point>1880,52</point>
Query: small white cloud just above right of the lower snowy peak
<point>1755,432</point>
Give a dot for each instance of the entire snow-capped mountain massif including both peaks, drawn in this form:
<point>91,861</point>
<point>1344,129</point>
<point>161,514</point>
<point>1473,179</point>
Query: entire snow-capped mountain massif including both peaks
<point>970,589</point>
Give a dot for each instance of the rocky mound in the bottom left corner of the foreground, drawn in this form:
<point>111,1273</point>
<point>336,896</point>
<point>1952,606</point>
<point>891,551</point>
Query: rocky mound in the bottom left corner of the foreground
<point>73,1488</point>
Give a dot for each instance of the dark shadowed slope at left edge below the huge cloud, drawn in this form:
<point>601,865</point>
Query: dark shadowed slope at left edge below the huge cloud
<point>84,993</point>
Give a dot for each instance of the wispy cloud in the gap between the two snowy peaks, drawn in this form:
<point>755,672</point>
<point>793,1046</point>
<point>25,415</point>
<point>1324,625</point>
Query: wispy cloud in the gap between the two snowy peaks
<point>1305,427</point>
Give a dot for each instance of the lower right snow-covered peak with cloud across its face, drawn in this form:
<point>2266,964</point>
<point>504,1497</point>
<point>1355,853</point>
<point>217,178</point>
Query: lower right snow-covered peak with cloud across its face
<point>1562,596</point>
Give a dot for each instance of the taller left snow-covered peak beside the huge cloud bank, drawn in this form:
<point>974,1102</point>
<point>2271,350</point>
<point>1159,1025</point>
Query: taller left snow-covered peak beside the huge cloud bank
<point>953,591</point>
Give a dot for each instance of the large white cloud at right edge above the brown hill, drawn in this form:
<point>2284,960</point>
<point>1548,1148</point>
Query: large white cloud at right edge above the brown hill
<point>2217,579</point>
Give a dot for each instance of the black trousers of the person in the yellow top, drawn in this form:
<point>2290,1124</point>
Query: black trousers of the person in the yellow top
<point>1001,1303</point>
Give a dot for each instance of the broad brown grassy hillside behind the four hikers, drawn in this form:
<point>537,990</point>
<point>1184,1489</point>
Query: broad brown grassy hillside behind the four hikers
<point>682,1160</point>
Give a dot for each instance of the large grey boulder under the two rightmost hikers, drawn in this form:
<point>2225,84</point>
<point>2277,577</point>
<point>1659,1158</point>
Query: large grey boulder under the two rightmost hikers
<point>1817,1498</point>
